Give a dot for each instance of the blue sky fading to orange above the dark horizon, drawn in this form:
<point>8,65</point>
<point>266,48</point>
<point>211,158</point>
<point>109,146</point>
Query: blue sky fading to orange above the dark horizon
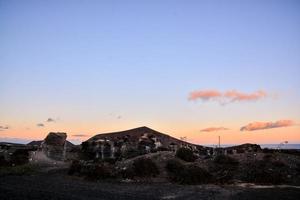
<point>199,69</point>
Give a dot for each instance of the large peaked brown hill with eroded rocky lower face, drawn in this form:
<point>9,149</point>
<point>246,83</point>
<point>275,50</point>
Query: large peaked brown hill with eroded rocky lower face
<point>133,142</point>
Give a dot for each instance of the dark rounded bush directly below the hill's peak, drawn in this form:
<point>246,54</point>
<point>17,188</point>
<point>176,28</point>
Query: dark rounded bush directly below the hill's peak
<point>145,167</point>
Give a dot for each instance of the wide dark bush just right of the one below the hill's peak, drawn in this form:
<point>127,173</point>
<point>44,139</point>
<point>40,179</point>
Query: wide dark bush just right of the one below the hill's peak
<point>190,174</point>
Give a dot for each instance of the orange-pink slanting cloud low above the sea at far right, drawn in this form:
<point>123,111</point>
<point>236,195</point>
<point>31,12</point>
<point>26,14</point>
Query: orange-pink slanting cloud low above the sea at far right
<point>267,125</point>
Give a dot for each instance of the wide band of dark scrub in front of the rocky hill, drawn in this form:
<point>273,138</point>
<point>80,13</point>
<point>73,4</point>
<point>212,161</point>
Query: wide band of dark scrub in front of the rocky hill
<point>221,169</point>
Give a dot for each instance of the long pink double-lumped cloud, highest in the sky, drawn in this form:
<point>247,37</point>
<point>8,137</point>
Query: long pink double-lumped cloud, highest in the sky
<point>227,96</point>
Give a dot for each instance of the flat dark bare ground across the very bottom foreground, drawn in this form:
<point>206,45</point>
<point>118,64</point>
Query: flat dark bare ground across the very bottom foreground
<point>56,185</point>
